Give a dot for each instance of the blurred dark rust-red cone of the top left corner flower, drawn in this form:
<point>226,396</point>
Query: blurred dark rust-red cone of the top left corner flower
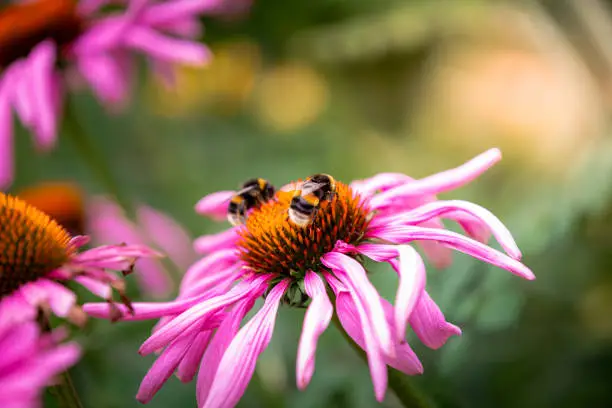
<point>25,24</point>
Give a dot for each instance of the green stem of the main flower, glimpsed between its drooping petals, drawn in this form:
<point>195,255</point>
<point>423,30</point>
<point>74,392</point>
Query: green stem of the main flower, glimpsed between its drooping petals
<point>405,391</point>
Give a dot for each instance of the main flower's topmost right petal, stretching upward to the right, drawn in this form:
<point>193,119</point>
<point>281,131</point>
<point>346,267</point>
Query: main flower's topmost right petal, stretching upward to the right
<point>440,182</point>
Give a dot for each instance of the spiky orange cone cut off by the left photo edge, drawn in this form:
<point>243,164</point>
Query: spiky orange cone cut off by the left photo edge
<point>31,244</point>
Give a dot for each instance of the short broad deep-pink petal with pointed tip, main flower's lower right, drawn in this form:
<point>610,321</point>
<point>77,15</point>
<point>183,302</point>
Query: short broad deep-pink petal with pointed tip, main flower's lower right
<point>429,323</point>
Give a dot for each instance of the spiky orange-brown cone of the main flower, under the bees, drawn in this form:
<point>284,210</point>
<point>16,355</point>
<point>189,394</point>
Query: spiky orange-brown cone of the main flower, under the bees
<point>271,243</point>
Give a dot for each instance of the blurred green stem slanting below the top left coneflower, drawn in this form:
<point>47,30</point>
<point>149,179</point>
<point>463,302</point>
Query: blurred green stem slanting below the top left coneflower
<point>94,159</point>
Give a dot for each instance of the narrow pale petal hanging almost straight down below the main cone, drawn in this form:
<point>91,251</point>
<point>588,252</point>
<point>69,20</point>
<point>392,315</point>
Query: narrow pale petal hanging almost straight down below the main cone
<point>316,320</point>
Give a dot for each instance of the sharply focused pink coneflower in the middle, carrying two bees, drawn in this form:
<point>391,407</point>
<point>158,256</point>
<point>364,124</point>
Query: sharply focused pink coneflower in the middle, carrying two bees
<point>376,218</point>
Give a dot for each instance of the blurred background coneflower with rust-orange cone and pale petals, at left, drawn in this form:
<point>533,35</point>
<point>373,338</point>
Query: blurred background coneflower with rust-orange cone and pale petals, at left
<point>105,222</point>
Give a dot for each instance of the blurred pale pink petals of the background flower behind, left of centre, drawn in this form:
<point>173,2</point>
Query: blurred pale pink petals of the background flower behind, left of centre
<point>107,223</point>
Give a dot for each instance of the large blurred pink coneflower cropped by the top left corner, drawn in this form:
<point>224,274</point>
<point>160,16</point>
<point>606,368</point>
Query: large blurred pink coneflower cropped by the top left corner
<point>42,40</point>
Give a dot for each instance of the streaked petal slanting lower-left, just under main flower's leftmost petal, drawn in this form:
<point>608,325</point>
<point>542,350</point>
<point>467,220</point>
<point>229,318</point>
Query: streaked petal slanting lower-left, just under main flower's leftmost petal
<point>187,321</point>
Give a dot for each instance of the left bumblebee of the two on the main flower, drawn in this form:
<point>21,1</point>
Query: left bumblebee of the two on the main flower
<point>253,193</point>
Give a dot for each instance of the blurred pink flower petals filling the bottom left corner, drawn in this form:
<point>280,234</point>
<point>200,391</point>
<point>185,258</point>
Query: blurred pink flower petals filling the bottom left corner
<point>30,360</point>
